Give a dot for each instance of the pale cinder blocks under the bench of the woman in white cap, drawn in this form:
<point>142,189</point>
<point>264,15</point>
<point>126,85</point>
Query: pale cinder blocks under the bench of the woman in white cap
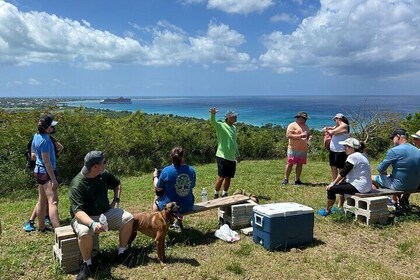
<point>367,210</point>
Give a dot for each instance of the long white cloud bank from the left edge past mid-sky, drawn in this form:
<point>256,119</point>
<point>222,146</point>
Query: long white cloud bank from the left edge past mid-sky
<point>37,37</point>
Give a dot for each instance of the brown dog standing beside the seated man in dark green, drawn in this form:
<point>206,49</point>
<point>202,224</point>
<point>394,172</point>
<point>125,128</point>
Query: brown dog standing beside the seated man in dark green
<point>155,225</point>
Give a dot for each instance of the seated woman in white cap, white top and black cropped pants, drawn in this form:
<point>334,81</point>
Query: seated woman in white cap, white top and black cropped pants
<point>355,177</point>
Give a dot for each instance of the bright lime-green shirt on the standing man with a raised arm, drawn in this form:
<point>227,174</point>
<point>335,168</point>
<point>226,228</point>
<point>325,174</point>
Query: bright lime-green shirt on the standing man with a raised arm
<point>227,146</point>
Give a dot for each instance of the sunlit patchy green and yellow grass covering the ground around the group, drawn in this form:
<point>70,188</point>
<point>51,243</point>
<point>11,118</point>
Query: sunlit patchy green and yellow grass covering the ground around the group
<point>342,248</point>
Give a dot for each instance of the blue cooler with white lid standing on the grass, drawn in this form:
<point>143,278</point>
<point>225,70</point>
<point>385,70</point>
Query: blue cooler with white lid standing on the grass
<point>282,225</point>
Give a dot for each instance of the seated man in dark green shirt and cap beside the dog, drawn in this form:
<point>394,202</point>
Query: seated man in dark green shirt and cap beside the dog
<point>88,195</point>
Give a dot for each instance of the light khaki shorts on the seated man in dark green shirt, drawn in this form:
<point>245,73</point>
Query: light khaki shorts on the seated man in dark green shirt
<point>116,218</point>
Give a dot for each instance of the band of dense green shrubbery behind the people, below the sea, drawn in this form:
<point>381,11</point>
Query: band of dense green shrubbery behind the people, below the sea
<point>136,142</point>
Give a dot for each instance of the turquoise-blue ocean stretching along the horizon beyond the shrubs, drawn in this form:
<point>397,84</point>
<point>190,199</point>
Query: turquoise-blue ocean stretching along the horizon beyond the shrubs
<point>260,110</point>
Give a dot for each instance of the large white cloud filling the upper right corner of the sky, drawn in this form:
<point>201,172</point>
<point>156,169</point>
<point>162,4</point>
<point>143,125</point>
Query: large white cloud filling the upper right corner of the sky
<point>354,37</point>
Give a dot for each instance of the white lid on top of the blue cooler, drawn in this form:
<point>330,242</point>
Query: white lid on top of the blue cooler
<point>282,209</point>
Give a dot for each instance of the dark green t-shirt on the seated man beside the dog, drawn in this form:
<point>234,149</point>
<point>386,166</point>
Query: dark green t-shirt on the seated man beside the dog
<point>91,194</point>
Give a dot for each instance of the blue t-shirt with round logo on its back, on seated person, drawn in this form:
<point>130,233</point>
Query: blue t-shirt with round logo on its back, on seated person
<point>177,183</point>
